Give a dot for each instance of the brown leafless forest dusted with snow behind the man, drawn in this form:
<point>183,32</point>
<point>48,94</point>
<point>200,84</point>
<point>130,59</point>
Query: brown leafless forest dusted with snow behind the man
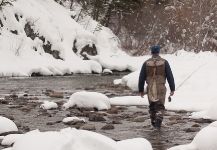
<point>173,24</point>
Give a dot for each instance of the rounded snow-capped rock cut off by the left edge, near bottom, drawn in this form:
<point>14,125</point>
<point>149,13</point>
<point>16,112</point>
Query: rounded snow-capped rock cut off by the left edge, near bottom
<point>6,125</point>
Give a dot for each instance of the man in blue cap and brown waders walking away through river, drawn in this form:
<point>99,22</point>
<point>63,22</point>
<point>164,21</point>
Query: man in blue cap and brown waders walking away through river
<point>154,72</point>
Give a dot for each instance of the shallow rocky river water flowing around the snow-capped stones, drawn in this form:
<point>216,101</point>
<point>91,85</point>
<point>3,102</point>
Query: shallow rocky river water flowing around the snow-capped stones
<point>21,98</point>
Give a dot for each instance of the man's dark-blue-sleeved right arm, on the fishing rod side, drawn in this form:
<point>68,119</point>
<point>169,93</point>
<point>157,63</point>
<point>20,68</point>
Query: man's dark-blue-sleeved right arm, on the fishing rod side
<point>170,78</point>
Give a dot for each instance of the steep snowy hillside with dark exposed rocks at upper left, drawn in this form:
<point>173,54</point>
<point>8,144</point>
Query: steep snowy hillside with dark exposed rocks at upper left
<point>41,36</point>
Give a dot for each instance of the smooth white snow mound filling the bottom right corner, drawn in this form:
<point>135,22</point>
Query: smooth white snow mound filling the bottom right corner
<point>204,140</point>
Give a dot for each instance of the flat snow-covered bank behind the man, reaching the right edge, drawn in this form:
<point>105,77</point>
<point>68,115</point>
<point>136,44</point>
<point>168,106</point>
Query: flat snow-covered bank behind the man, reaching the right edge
<point>195,81</point>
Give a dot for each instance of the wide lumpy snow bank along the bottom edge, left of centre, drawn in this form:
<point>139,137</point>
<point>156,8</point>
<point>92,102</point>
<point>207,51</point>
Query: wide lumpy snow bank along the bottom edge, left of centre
<point>70,138</point>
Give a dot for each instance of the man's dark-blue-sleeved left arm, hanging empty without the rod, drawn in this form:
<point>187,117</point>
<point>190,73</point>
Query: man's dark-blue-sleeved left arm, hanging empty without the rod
<point>142,78</point>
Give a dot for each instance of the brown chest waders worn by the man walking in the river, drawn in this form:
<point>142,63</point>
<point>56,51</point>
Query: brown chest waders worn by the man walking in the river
<point>156,89</point>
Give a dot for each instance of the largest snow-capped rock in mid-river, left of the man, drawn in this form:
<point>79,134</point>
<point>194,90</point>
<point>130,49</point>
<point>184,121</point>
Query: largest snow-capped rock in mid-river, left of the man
<point>88,100</point>
